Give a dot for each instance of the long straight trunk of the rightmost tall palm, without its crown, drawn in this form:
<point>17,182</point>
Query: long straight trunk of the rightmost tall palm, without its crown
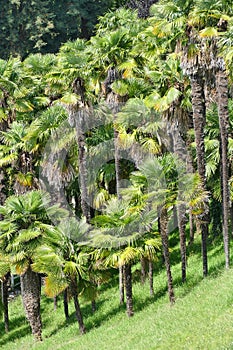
<point>222,88</point>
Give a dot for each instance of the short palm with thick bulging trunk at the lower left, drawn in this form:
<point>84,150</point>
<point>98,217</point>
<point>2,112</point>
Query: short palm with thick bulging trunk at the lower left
<point>24,227</point>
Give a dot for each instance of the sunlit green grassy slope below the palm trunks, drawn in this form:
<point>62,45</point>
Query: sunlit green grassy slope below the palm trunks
<point>202,317</point>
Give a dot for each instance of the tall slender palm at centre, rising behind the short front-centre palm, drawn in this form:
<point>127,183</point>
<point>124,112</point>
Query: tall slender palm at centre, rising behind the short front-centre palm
<point>110,51</point>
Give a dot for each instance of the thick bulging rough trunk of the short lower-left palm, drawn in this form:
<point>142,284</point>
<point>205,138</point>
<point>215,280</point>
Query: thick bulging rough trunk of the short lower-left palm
<point>30,288</point>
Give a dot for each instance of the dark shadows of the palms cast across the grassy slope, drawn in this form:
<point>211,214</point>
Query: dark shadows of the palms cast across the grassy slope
<point>20,328</point>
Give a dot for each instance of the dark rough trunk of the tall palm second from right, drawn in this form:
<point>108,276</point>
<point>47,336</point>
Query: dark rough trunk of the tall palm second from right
<point>199,119</point>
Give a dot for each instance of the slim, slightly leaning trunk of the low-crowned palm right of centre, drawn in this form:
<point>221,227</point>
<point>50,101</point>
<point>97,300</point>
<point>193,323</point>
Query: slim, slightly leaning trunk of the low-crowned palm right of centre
<point>164,236</point>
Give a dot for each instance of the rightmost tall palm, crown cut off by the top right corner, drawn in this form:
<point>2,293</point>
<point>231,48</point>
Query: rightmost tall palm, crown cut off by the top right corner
<point>210,27</point>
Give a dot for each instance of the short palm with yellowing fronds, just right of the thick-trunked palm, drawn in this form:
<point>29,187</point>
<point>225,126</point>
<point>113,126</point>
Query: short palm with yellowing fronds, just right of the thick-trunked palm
<point>62,263</point>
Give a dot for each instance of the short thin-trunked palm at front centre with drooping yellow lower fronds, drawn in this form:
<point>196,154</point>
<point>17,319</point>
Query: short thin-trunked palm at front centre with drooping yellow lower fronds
<point>115,234</point>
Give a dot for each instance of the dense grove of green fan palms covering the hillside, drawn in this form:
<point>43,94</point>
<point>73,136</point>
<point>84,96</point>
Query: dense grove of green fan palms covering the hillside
<point>107,142</point>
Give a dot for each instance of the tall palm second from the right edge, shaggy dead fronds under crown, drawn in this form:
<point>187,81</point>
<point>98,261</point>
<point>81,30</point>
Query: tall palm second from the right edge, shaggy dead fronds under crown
<point>194,66</point>
